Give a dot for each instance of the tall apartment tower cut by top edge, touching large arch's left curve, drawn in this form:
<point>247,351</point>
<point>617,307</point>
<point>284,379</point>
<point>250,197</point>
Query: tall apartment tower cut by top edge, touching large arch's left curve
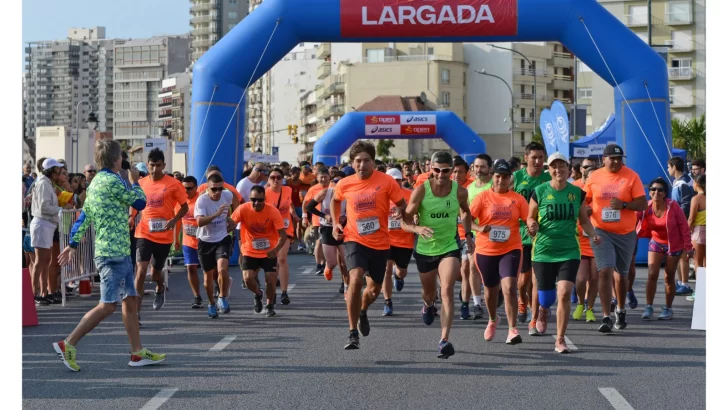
<point>210,20</point>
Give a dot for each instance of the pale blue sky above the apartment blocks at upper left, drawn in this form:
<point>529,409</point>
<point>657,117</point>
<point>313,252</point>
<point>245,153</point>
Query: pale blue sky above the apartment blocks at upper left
<point>51,19</point>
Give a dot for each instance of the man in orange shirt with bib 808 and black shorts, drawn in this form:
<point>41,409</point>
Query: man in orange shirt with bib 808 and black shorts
<point>154,232</point>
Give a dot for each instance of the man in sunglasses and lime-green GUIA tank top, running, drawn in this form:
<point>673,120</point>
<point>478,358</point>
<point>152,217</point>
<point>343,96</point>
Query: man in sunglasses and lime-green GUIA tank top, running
<point>438,203</point>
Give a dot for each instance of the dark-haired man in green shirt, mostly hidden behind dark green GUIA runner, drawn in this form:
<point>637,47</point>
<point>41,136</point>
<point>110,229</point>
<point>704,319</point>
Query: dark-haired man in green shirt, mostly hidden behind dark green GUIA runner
<point>524,182</point>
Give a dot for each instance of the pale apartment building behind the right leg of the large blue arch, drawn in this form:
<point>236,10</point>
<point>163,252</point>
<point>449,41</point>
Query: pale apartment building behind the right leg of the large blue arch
<point>678,34</point>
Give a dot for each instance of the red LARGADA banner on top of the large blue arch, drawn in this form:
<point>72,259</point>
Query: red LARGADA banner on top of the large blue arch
<point>423,18</point>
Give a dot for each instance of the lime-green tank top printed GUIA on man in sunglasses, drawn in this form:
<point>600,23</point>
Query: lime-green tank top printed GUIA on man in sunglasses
<point>441,215</point>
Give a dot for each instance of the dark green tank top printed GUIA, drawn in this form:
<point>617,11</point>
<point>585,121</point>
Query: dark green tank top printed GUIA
<point>558,212</point>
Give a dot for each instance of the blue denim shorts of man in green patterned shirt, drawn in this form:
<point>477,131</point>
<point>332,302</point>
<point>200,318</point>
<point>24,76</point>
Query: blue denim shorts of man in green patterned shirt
<point>116,274</point>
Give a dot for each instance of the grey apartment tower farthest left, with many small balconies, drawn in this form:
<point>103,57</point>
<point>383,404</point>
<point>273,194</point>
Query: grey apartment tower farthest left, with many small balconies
<point>61,74</point>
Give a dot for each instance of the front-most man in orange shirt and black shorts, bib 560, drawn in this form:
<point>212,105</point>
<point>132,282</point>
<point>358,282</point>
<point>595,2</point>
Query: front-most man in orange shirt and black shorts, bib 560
<point>366,240</point>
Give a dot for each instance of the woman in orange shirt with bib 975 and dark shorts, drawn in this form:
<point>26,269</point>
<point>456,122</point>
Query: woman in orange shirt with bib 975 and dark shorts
<point>498,248</point>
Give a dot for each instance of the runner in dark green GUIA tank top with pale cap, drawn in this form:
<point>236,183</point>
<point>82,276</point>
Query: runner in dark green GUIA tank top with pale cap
<point>554,209</point>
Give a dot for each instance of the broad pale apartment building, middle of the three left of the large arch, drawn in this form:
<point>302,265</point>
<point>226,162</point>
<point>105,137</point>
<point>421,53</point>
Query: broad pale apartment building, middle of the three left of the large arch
<point>139,68</point>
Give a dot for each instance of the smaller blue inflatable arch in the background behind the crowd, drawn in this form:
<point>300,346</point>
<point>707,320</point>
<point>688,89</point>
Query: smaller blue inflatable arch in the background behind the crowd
<point>397,125</point>
